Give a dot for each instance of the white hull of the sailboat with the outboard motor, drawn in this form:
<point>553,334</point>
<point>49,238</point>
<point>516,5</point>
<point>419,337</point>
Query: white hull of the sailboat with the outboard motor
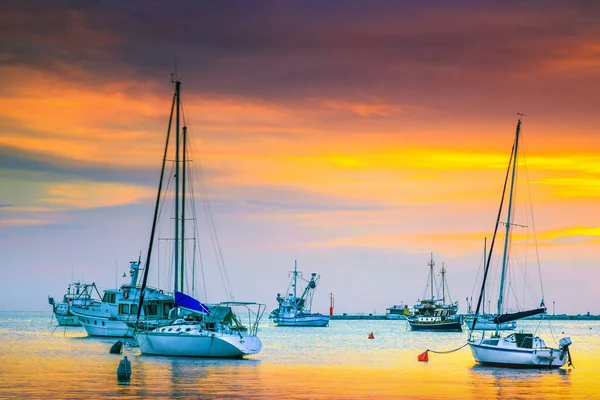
<point>507,354</point>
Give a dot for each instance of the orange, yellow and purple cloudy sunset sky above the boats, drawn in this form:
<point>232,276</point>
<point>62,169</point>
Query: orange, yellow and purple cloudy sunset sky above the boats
<point>356,137</point>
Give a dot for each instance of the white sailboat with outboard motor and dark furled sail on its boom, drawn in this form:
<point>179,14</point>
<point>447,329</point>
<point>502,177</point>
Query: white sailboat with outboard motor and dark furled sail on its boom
<point>517,350</point>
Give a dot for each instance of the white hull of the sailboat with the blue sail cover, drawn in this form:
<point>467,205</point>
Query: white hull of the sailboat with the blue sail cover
<point>204,344</point>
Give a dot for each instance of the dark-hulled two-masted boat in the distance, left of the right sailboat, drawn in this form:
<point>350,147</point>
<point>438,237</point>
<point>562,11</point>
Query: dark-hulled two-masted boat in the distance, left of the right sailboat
<point>434,314</point>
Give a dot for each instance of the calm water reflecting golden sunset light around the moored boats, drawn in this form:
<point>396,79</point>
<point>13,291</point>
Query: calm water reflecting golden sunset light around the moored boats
<point>296,363</point>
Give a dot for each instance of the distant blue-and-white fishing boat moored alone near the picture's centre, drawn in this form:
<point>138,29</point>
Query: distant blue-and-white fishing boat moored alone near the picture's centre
<point>294,310</point>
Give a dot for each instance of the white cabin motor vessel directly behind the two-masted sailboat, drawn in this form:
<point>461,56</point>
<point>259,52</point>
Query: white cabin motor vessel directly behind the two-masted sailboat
<point>109,317</point>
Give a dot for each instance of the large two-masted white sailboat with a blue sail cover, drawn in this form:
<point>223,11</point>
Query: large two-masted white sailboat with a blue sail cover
<point>196,329</point>
